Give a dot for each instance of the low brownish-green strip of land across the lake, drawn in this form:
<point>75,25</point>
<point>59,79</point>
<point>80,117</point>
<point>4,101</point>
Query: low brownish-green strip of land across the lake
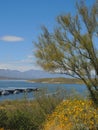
<point>58,80</point>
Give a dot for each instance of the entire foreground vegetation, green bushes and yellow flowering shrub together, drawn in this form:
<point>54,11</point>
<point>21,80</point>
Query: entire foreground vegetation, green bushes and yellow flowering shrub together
<point>59,111</point>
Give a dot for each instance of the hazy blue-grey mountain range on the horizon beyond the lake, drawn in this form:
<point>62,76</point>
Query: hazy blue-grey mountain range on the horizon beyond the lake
<point>31,74</point>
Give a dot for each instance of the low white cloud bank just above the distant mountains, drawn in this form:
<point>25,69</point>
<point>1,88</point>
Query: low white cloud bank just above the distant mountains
<point>22,65</point>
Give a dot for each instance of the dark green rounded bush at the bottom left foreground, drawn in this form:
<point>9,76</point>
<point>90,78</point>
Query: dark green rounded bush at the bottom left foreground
<point>20,120</point>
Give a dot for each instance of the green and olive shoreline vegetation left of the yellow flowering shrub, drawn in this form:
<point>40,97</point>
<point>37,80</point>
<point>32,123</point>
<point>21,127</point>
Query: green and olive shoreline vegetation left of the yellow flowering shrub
<point>28,114</point>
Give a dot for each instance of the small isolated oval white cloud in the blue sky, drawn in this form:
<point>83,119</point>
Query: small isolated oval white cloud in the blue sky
<point>11,38</point>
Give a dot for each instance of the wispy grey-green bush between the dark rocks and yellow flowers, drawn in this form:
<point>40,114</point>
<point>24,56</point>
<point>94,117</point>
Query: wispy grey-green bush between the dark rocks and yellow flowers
<point>48,102</point>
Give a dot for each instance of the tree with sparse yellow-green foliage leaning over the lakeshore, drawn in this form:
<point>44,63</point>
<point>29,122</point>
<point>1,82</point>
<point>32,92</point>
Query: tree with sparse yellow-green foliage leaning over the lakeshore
<point>71,48</point>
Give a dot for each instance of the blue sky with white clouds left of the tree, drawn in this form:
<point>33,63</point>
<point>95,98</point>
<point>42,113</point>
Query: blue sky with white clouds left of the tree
<point>20,25</point>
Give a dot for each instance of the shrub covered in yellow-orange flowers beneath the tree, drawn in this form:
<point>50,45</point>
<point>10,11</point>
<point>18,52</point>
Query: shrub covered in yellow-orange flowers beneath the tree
<point>73,115</point>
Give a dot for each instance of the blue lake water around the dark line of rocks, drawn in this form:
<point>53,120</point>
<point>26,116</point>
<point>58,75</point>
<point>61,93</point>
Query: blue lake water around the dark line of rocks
<point>9,84</point>
